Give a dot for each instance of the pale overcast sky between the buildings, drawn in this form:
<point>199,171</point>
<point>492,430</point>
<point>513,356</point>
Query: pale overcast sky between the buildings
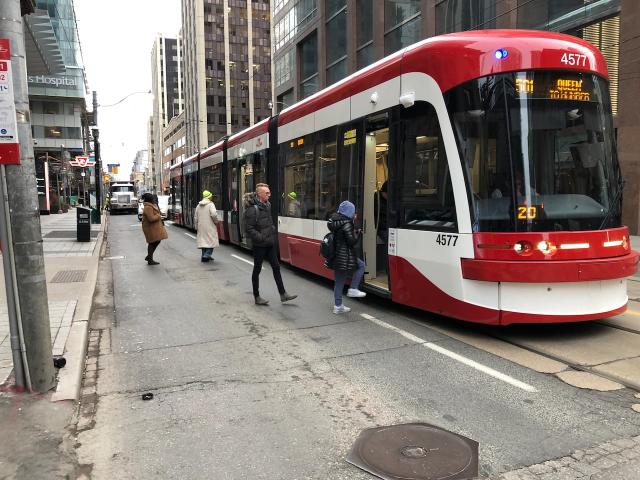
<point>116,37</point>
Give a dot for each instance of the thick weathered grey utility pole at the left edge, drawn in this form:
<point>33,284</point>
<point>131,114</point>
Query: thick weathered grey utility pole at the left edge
<point>24,234</point>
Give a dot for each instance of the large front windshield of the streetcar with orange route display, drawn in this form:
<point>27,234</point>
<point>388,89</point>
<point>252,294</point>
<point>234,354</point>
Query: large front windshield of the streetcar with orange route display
<point>538,150</point>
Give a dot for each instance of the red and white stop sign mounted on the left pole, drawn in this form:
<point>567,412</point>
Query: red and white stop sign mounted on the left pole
<point>9,145</point>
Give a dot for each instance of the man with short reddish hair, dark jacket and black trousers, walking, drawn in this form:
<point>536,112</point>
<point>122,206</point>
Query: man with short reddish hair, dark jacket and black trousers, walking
<point>262,232</point>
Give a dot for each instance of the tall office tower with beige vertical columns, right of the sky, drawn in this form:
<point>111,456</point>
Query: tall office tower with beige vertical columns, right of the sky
<point>227,65</point>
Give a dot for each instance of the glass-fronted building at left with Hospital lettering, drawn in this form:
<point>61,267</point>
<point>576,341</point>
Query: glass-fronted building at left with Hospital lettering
<point>57,88</point>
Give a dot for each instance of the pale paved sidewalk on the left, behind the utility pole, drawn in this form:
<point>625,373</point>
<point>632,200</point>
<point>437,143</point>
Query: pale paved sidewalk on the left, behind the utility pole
<point>71,269</point>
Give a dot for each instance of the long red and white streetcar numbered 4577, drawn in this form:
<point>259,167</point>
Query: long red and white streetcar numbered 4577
<point>482,165</point>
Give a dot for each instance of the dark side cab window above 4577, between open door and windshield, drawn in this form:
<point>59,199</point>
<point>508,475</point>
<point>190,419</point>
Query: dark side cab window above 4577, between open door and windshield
<point>427,193</point>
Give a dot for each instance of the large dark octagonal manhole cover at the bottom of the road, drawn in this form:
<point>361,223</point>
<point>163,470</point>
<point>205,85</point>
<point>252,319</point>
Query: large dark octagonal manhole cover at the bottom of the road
<point>415,451</point>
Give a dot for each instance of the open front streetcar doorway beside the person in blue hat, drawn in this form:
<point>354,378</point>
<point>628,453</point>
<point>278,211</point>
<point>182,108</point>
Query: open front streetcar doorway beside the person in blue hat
<point>374,206</point>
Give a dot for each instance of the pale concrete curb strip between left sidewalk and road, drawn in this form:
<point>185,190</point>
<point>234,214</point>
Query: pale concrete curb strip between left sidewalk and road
<point>70,377</point>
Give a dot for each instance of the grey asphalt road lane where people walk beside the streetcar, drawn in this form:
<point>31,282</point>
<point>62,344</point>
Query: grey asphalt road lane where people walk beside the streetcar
<point>283,391</point>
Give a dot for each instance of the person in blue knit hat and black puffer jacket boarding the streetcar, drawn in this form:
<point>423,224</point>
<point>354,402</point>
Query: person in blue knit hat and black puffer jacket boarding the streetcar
<point>345,260</point>
